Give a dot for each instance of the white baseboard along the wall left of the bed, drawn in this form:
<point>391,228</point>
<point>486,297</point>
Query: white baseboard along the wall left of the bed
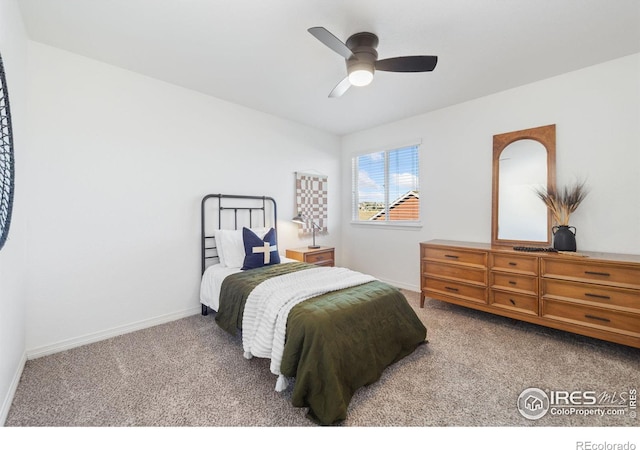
<point>106,334</point>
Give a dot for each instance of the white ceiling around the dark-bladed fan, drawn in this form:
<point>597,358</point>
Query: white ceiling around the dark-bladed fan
<point>258,53</point>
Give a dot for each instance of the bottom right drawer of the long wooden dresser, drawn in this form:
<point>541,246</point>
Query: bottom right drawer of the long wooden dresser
<point>593,317</point>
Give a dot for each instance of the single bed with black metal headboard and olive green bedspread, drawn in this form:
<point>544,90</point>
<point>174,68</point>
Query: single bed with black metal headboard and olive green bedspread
<point>326,330</point>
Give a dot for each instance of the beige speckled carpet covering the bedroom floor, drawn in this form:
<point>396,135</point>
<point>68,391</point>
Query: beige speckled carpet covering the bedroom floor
<point>191,373</point>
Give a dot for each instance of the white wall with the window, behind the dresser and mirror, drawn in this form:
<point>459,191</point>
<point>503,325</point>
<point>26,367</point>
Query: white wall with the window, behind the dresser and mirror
<point>597,113</point>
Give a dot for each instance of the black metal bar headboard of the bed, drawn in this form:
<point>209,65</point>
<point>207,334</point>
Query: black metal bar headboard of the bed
<point>222,211</point>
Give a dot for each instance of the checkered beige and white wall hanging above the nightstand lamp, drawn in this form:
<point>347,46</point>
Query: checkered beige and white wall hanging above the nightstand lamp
<point>311,201</point>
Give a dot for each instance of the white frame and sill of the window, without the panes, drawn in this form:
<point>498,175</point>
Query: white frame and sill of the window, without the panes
<point>355,199</point>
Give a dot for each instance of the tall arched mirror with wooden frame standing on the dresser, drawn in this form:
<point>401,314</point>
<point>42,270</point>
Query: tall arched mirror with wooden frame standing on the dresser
<point>522,161</point>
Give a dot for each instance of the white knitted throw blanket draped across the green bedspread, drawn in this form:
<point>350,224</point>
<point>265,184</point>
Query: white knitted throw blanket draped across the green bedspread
<point>267,308</point>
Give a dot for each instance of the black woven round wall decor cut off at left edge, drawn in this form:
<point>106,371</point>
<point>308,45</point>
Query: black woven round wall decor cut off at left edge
<point>6,159</point>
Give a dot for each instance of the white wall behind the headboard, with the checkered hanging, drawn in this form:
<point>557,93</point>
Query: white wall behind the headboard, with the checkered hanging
<point>122,162</point>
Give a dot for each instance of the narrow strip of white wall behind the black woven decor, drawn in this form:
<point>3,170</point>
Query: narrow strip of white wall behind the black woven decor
<point>13,262</point>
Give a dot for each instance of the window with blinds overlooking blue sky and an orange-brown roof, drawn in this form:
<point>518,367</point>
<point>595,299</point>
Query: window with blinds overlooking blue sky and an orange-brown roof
<point>386,186</point>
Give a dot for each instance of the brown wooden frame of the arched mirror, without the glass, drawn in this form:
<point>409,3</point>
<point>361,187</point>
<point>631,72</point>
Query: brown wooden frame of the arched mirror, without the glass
<point>546,135</point>
